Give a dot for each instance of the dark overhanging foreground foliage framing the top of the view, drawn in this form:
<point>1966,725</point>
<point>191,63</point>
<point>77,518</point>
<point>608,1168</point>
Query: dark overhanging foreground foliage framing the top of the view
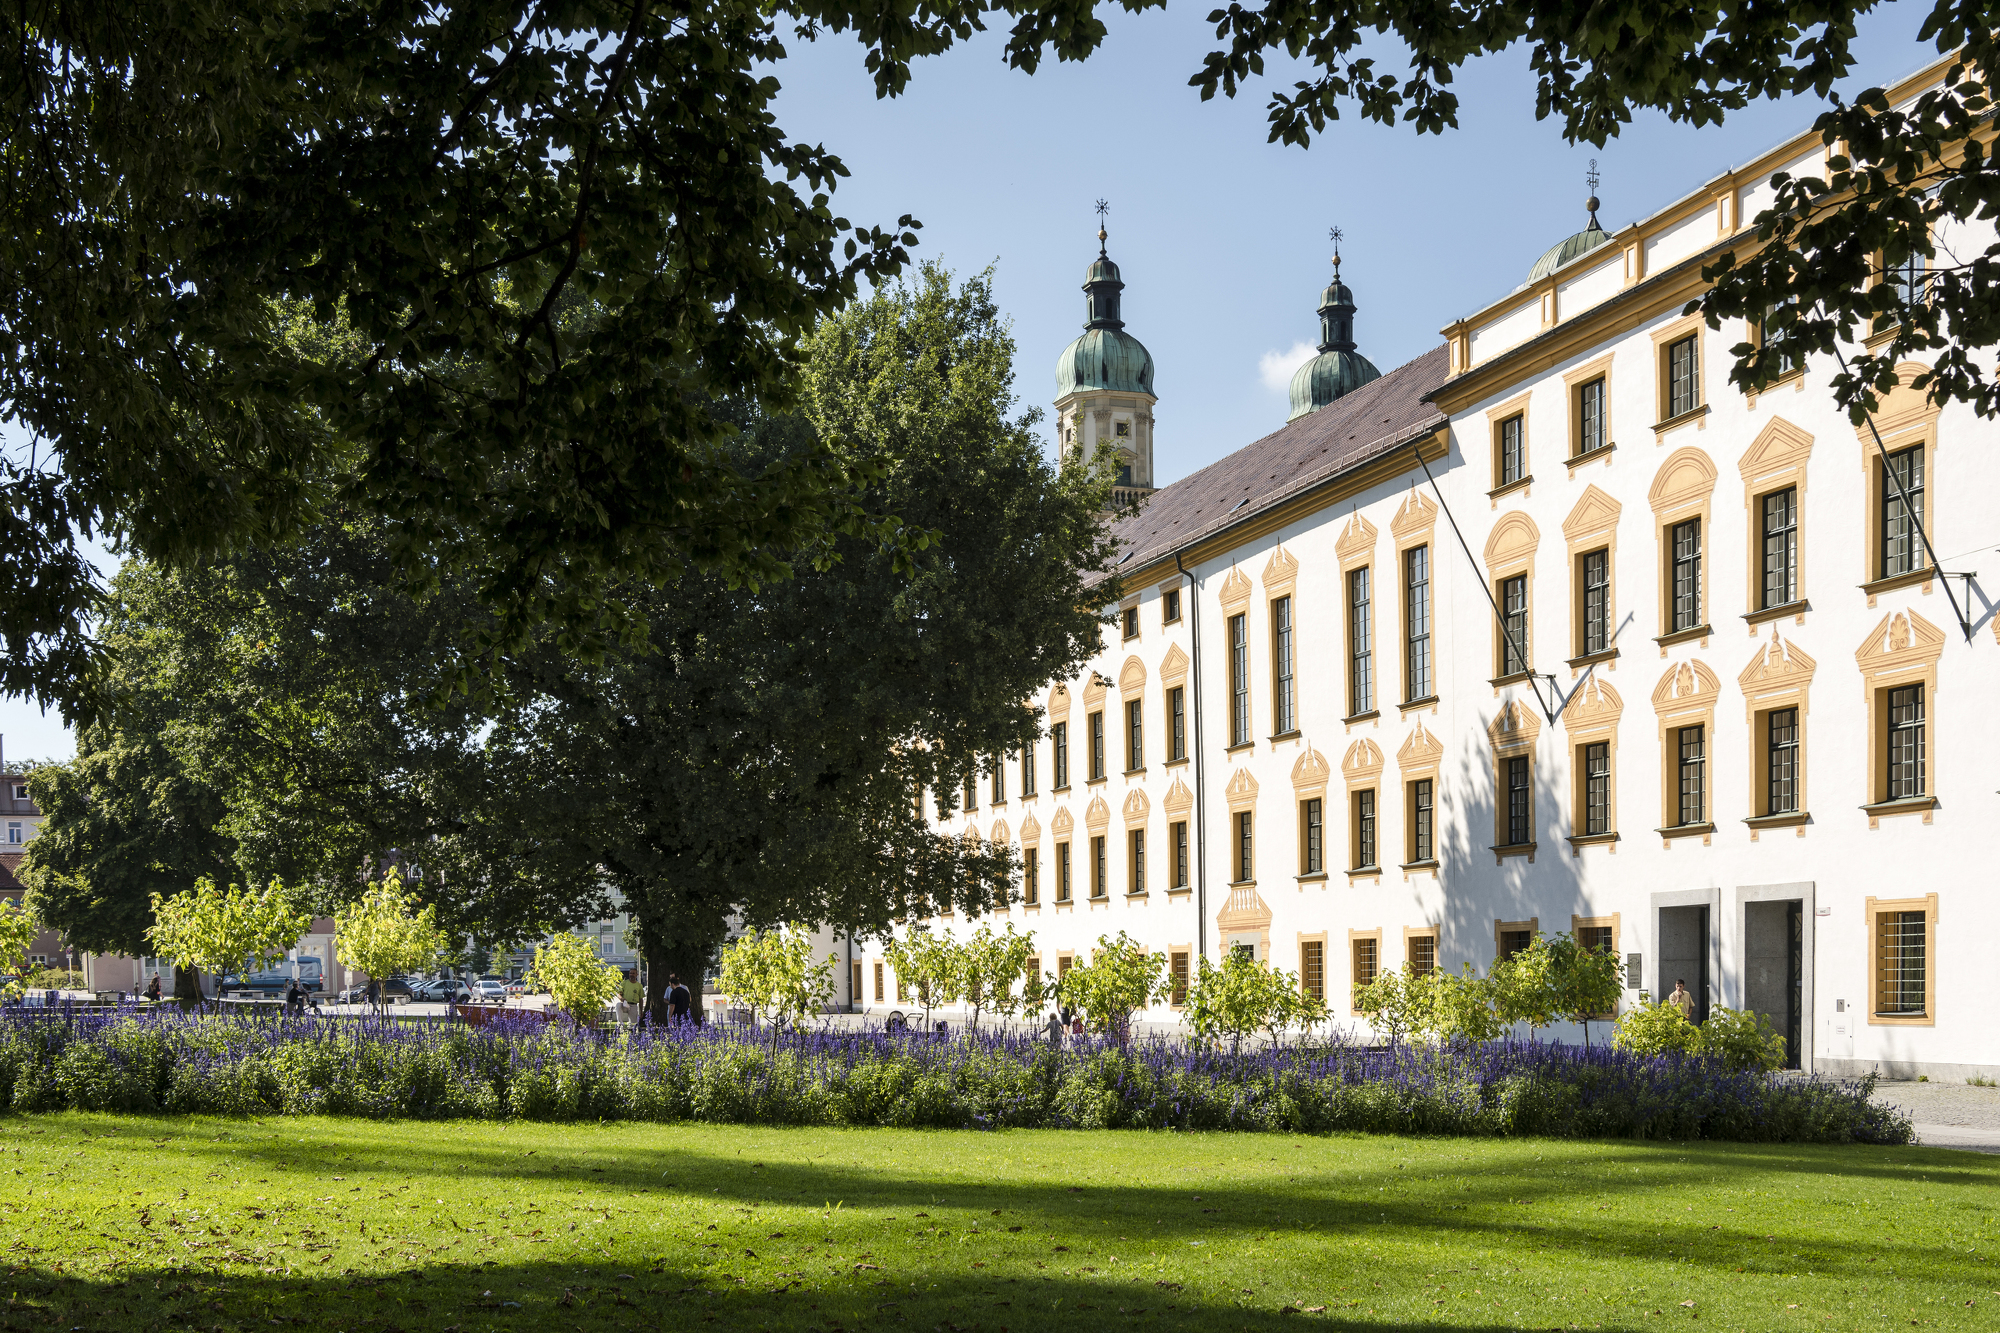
<point>453,179</point>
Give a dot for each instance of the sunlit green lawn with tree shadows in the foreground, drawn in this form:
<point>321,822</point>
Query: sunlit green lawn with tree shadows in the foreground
<point>127,1226</point>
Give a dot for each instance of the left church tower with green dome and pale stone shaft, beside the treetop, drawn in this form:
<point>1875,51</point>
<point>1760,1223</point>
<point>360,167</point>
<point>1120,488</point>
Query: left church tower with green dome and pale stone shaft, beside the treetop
<point>1105,385</point>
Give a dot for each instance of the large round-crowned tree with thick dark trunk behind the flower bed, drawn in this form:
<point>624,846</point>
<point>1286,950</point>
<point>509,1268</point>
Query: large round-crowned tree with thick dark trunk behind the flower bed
<point>765,756</point>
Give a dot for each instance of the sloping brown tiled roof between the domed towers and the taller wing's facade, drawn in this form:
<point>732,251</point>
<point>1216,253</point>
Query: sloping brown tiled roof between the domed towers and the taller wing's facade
<point>1357,429</point>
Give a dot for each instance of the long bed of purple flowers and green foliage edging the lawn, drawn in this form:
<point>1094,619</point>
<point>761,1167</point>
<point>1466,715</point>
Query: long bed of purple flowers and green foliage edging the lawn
<point>553,1072</point>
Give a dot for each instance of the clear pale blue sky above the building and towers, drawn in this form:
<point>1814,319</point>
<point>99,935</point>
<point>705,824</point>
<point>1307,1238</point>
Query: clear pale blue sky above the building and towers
<point>1221,235</point>
